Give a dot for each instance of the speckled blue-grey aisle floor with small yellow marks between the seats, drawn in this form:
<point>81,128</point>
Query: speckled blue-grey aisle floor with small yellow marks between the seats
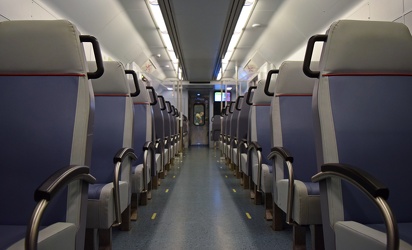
<point>201,205</point>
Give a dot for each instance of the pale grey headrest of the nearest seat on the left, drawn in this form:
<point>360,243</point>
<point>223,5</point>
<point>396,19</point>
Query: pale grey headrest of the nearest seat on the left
<point>33,46</point>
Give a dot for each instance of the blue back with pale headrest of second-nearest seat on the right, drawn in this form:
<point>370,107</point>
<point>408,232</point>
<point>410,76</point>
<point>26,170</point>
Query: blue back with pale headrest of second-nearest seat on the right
<point>292,123</point>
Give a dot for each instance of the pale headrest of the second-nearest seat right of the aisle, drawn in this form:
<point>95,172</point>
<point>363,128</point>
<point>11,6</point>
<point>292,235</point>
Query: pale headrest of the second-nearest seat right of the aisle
<point>292,80</point>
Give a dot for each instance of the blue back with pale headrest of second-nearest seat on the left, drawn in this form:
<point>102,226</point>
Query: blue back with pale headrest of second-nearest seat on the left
<point>113,122</point>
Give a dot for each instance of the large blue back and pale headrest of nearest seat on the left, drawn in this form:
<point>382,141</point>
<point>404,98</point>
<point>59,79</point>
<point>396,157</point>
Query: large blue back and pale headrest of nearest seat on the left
<point>46,121</point>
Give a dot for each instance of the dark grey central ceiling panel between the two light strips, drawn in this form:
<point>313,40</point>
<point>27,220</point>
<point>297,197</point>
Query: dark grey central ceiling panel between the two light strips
<point>200,32</point>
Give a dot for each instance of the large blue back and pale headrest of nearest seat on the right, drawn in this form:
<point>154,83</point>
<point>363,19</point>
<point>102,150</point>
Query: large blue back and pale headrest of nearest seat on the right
<point>363,117</point>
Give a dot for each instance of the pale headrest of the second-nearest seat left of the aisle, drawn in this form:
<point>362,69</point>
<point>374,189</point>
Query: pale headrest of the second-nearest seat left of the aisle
<point>113,80</point>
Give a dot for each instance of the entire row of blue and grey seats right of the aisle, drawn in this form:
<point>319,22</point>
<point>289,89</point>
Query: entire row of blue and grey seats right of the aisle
<point>336,140</point>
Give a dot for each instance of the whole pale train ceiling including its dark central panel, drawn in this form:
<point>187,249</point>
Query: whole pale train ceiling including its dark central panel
<point>200,29</point>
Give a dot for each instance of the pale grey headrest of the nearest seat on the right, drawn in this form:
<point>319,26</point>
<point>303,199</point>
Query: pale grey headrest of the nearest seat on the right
<point>367,47</point>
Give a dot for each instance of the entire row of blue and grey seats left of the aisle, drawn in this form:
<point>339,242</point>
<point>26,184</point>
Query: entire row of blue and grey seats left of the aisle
<point>86,141</point>
